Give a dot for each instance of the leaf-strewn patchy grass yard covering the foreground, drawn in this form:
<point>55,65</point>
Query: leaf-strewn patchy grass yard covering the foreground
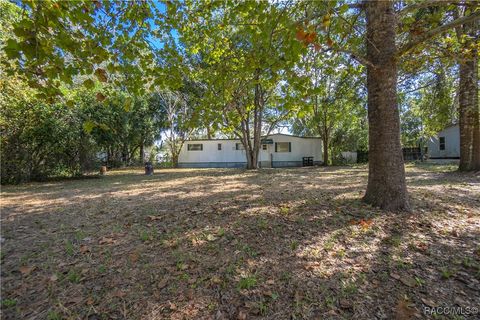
<point>267,244</point>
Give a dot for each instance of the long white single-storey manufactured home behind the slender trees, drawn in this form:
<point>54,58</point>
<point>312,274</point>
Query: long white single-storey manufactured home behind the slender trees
<point>277,150</point>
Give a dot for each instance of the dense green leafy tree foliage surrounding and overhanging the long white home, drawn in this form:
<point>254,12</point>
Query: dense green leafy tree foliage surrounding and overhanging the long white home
<point>115,80</point>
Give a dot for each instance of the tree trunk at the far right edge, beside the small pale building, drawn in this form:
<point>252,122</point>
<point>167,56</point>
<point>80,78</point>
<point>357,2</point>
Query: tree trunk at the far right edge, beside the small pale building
<point>469,112</point>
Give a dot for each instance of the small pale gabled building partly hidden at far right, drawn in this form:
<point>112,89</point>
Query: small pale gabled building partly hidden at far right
<point>446,144</point>
